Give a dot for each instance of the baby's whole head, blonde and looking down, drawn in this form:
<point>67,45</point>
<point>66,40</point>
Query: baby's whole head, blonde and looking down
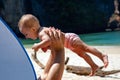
<point>29,26</point>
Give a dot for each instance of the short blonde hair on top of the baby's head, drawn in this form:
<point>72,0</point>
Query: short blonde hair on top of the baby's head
<point>28,21</point>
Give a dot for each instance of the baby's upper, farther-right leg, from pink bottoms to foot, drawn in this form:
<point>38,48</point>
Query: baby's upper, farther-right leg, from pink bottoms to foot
<point>79,44</point>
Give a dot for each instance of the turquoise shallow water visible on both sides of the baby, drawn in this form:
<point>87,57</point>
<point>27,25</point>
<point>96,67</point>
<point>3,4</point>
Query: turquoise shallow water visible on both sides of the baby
<point>102,38</point>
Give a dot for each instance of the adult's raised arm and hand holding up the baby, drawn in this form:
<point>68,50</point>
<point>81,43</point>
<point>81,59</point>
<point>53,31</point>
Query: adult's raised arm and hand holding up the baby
<point>55,65</point>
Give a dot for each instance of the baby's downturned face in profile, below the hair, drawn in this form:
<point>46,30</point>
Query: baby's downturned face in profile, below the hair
<point>28,33</point>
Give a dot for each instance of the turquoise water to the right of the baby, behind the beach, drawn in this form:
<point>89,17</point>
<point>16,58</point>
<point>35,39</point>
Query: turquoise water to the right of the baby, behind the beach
<point>102,38</point>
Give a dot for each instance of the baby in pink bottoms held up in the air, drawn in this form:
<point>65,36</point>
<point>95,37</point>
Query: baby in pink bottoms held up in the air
<point>30,27</point>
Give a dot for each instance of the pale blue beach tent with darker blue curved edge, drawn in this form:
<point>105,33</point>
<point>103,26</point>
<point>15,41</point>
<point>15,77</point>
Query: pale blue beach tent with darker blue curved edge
<point>15,63</point>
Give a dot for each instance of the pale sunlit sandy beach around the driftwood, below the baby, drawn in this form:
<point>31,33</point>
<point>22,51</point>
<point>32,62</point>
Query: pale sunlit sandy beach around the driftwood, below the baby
<point>113,53</point>
